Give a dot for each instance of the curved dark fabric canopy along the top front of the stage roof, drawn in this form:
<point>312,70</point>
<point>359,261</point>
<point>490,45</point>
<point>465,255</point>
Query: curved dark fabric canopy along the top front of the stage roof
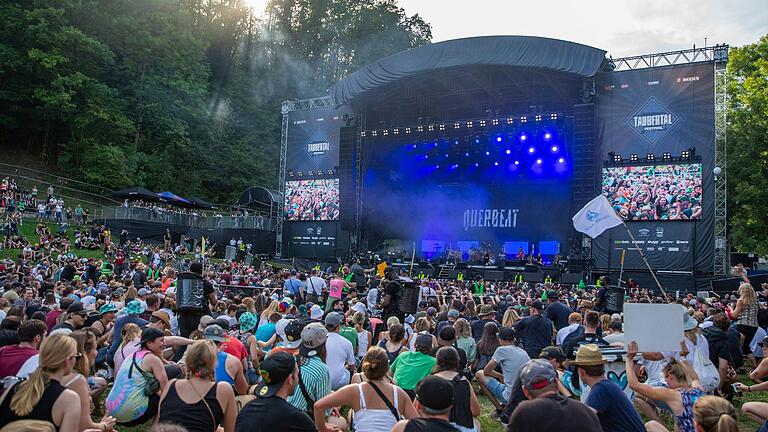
<point>514,51</point>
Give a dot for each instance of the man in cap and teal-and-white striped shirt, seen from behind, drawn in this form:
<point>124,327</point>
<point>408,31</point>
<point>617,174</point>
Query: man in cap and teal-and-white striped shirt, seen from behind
<point>314,376</point>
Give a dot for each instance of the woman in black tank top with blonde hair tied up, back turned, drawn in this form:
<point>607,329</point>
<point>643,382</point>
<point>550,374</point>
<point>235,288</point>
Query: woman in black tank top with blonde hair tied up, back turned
<point>199,403</point>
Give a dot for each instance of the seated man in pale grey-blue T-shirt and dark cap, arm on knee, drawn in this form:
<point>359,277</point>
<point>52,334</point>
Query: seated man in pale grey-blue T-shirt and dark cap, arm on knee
<point>511,358</point>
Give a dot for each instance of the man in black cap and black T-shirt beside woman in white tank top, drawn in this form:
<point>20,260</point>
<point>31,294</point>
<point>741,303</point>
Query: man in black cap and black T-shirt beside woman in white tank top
<point>270,411</point>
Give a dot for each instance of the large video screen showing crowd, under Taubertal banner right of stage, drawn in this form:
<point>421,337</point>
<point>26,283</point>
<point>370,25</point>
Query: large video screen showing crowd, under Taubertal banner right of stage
<point>655,192</point>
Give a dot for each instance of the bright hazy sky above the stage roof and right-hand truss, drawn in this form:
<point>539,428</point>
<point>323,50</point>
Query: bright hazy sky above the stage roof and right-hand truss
<point>621,27</point>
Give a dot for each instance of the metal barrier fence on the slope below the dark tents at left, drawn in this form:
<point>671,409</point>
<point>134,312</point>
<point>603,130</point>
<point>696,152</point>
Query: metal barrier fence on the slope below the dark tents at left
<point>202,220</point>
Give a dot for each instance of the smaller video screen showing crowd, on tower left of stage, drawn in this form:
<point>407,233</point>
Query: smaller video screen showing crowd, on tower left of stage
<point>312,200</point>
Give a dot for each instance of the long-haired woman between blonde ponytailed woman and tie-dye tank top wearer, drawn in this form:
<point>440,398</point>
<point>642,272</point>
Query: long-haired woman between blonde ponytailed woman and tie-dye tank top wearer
<point>82,382</point>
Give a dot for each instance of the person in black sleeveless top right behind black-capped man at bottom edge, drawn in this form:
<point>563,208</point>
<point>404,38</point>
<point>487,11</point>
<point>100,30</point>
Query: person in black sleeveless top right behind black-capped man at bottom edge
<point>466,407</point>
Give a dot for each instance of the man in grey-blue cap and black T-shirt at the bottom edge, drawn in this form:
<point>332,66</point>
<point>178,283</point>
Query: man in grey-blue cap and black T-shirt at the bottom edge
<point>546,410</point>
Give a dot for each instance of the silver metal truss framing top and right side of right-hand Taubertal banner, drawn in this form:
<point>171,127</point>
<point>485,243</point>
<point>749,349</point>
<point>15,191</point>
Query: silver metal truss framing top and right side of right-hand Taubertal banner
<point>718,56</point>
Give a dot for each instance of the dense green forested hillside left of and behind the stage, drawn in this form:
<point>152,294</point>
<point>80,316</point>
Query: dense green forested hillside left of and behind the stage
<point>179,95</point>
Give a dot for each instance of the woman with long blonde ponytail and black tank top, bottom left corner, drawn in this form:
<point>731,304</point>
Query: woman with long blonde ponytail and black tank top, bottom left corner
<point>42,396</point>
